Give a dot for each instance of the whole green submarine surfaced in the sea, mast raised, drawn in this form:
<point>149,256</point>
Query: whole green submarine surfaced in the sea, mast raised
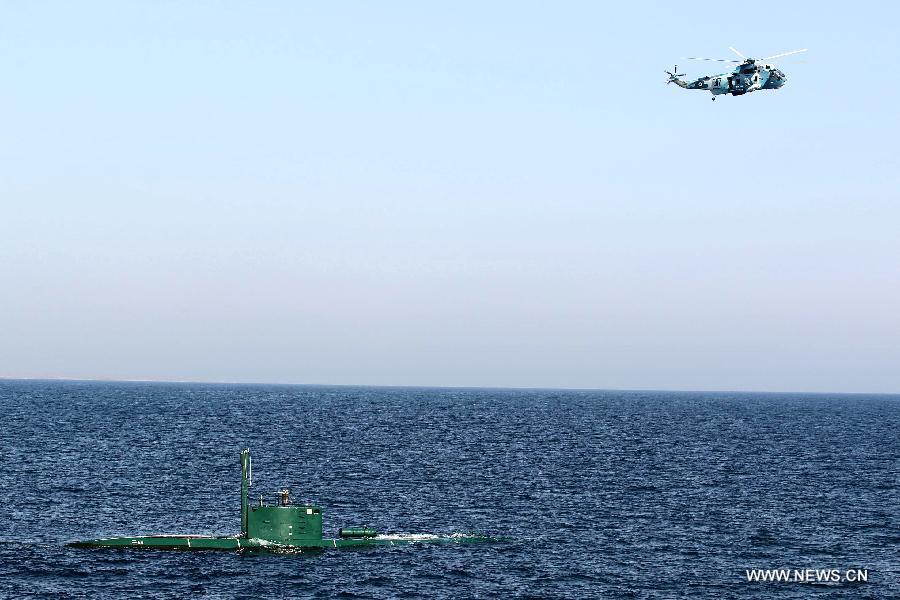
<point>280,527</point>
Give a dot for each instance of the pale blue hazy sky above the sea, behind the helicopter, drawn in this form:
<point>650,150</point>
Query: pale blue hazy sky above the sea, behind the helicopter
<point>450,194</point>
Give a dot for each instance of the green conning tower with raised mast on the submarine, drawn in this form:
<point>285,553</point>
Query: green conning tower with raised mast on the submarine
<point>283,523</point>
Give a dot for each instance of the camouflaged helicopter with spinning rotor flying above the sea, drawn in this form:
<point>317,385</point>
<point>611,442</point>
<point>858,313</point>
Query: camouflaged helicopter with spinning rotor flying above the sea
<point>750,75</point>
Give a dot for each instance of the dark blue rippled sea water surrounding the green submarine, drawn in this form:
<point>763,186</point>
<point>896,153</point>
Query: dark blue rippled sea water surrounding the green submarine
<point>605,494</point>
